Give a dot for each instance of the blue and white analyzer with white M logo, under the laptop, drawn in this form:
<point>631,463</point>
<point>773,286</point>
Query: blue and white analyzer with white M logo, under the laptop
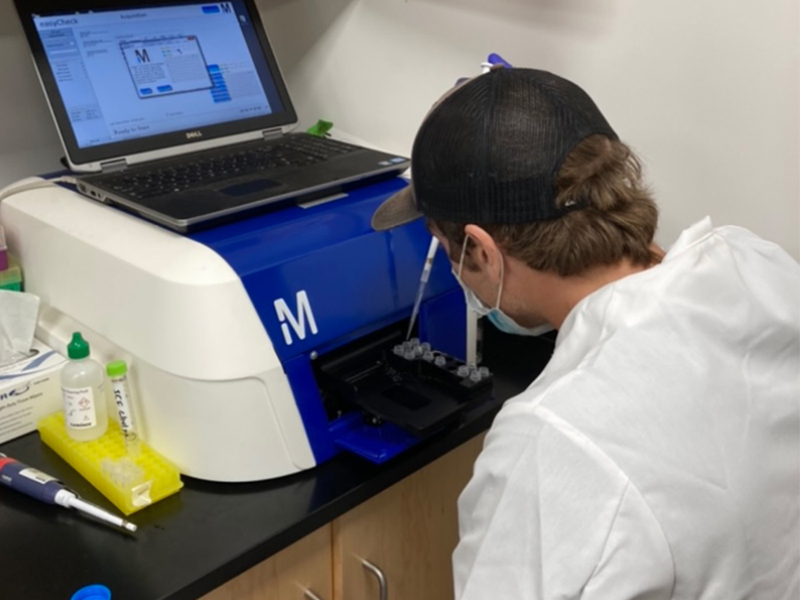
<point>261,347</point>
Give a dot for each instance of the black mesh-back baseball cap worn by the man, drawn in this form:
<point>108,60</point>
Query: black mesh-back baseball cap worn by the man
<point>490,150</point>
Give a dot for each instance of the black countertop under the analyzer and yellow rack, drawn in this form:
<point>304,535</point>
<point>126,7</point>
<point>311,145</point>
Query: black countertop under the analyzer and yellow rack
<point>192,542</point>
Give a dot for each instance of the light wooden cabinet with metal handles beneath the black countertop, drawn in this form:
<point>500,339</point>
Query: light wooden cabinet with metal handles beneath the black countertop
<point>408,532</point>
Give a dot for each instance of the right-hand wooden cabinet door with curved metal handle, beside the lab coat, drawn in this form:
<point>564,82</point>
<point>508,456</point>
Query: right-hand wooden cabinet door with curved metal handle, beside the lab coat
<point>409,531</point>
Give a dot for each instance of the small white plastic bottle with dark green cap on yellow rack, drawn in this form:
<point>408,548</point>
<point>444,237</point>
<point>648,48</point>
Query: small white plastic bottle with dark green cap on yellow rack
<point>83,390</point>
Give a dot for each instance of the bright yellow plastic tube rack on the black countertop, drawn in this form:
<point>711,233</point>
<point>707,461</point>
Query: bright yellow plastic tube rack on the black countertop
<point>156,477</point>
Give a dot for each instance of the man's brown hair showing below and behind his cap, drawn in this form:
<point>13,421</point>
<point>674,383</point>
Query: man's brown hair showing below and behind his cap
<point>617,220</point>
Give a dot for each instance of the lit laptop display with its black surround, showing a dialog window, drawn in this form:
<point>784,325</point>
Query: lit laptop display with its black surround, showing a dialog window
<point>121,80</point>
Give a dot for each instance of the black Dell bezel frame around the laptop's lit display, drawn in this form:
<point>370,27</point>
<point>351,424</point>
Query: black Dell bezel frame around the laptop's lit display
<point>94,155</point>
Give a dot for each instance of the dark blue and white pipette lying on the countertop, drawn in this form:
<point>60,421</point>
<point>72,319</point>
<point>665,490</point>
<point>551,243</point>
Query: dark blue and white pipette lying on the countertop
<point>48,489</point>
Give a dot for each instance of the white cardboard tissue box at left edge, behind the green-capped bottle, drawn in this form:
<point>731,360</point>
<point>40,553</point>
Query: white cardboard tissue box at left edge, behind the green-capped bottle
<point>29,390</point>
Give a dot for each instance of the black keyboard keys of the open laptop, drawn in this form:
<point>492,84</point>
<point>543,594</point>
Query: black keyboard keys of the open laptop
<point>294,151</point>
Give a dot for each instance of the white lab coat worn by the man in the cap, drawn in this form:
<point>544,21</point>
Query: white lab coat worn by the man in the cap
<point>658,454</point>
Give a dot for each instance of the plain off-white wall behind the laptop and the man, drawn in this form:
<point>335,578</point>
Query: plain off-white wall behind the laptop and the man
<point>707,91</point>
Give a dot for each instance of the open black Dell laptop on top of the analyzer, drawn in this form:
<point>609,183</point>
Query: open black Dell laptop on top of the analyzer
<point>176,110</point>
